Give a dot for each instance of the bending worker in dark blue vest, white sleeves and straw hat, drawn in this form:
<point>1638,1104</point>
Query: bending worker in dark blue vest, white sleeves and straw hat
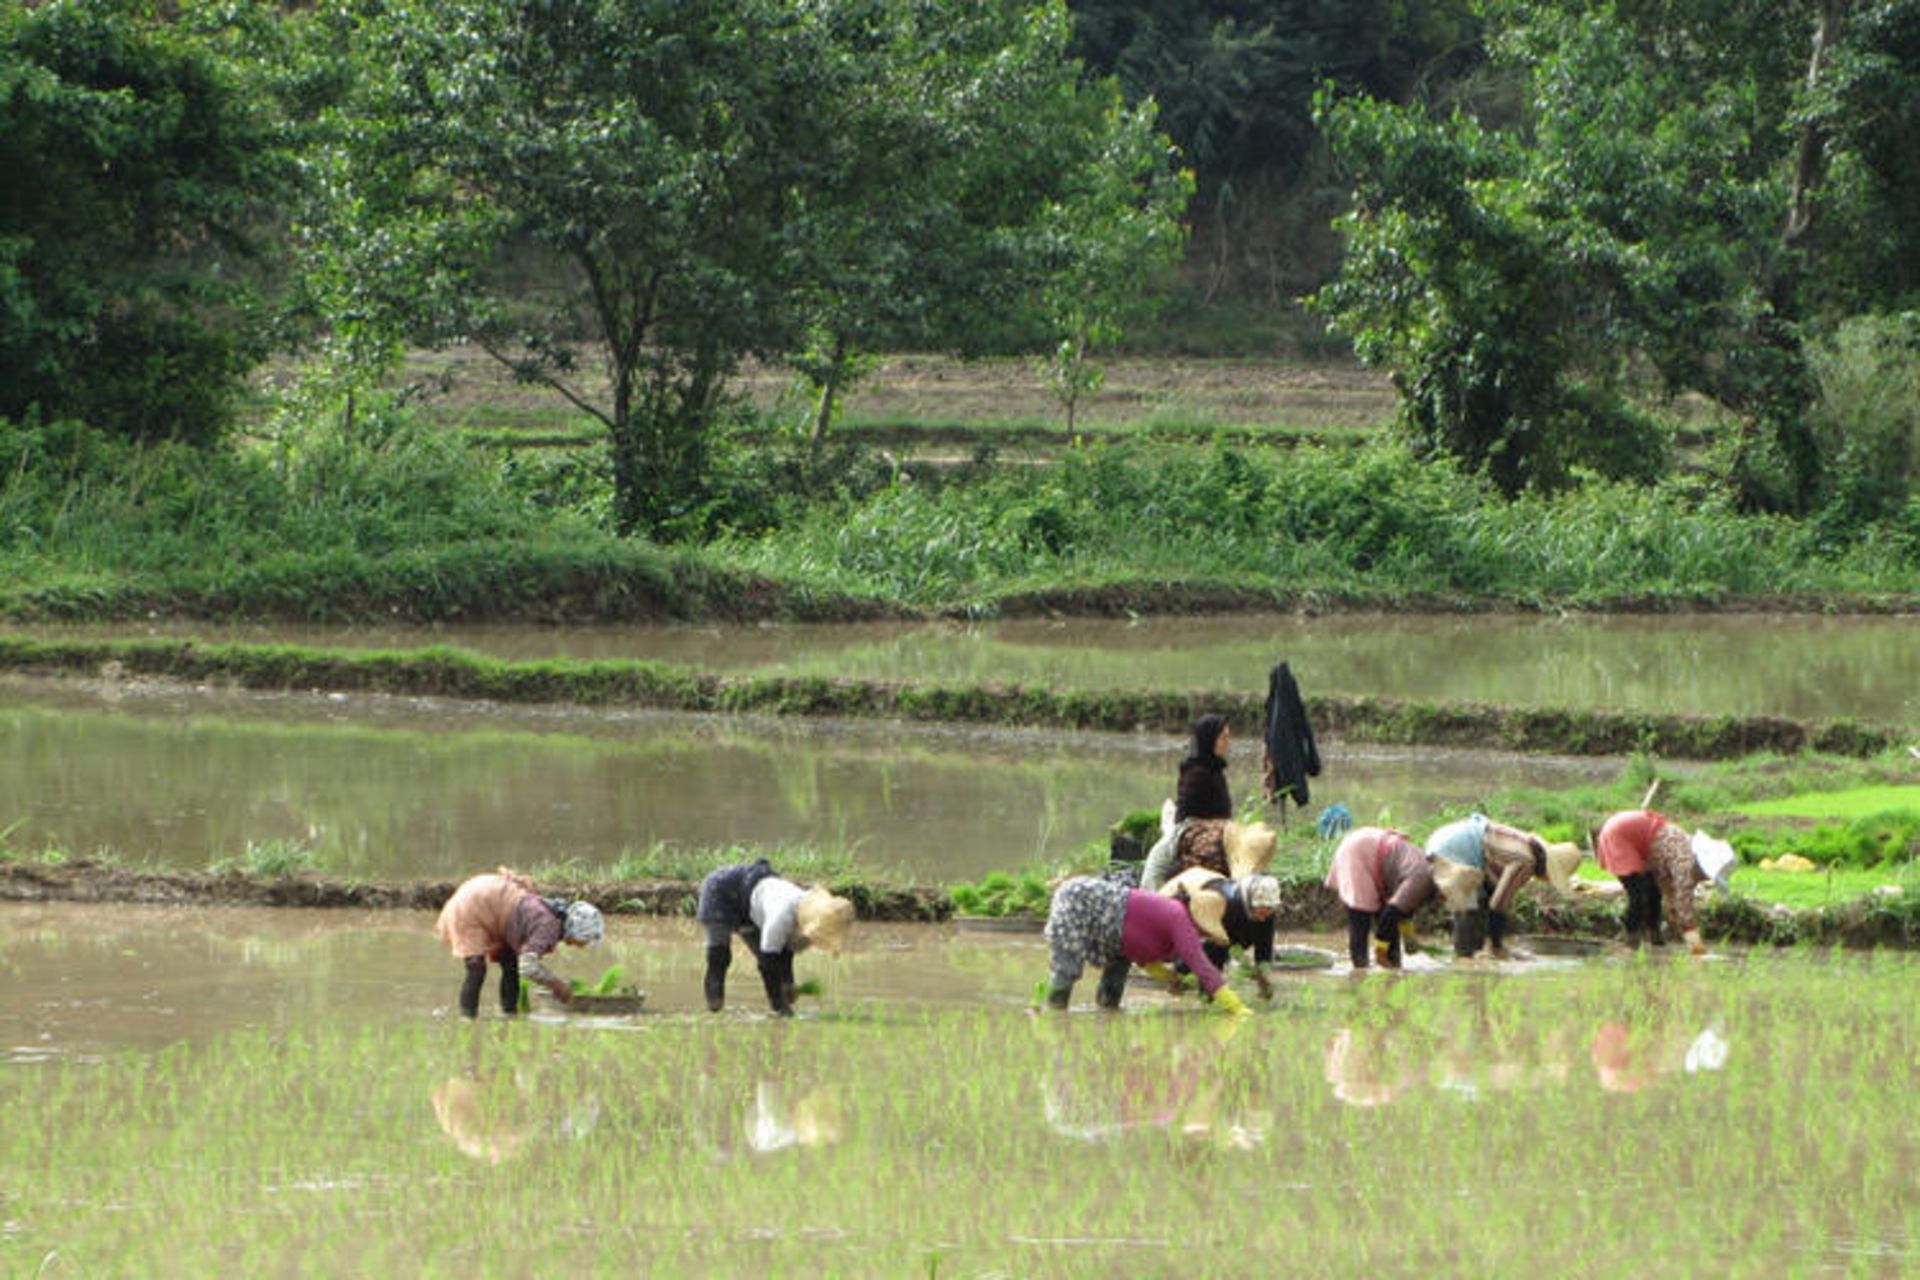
<point>777,918</point>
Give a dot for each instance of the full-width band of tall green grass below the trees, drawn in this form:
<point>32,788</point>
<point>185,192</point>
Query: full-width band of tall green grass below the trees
<point>406,521</point>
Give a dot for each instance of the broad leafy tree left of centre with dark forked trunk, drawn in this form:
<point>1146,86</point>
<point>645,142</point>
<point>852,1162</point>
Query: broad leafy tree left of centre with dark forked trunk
<point>713,183</point>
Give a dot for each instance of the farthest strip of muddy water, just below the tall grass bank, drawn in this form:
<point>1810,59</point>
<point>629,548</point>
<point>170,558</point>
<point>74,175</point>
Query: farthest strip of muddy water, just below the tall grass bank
<point>1798,667</point>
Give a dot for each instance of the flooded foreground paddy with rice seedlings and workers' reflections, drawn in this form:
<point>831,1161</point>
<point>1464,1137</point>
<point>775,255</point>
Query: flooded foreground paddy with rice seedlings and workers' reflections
<point>228,1097</point>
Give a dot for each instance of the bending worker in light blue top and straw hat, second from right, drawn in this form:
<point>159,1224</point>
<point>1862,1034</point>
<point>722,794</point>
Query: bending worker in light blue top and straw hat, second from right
<point>1481,866</point>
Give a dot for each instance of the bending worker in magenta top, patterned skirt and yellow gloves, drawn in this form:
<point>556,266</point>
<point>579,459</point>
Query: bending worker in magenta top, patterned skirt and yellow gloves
<point>1105,924</point>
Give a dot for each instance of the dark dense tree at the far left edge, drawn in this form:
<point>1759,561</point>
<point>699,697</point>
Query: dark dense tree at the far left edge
<point>135,172</point>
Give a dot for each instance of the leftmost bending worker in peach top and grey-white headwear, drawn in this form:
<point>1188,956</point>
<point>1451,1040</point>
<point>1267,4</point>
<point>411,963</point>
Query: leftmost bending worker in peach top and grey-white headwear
<point>500,918</point>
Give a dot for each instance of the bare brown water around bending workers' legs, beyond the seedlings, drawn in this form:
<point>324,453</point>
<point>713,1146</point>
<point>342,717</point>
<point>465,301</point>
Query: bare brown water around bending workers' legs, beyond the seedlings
<point>84,982</point>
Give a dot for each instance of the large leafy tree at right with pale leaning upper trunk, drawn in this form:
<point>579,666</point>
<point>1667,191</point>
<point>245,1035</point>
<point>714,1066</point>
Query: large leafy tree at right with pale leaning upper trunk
<point>1662,206</point>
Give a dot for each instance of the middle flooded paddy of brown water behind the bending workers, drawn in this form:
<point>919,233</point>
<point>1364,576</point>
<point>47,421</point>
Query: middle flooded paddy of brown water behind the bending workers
<point>400,788</point>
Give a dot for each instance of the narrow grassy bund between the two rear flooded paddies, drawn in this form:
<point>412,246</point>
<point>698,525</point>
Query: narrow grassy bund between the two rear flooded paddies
<point>462,675</point>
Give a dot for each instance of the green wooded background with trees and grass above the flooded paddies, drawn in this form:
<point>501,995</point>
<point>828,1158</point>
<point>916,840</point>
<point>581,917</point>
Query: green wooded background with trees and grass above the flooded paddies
<point>1639,275</point>
